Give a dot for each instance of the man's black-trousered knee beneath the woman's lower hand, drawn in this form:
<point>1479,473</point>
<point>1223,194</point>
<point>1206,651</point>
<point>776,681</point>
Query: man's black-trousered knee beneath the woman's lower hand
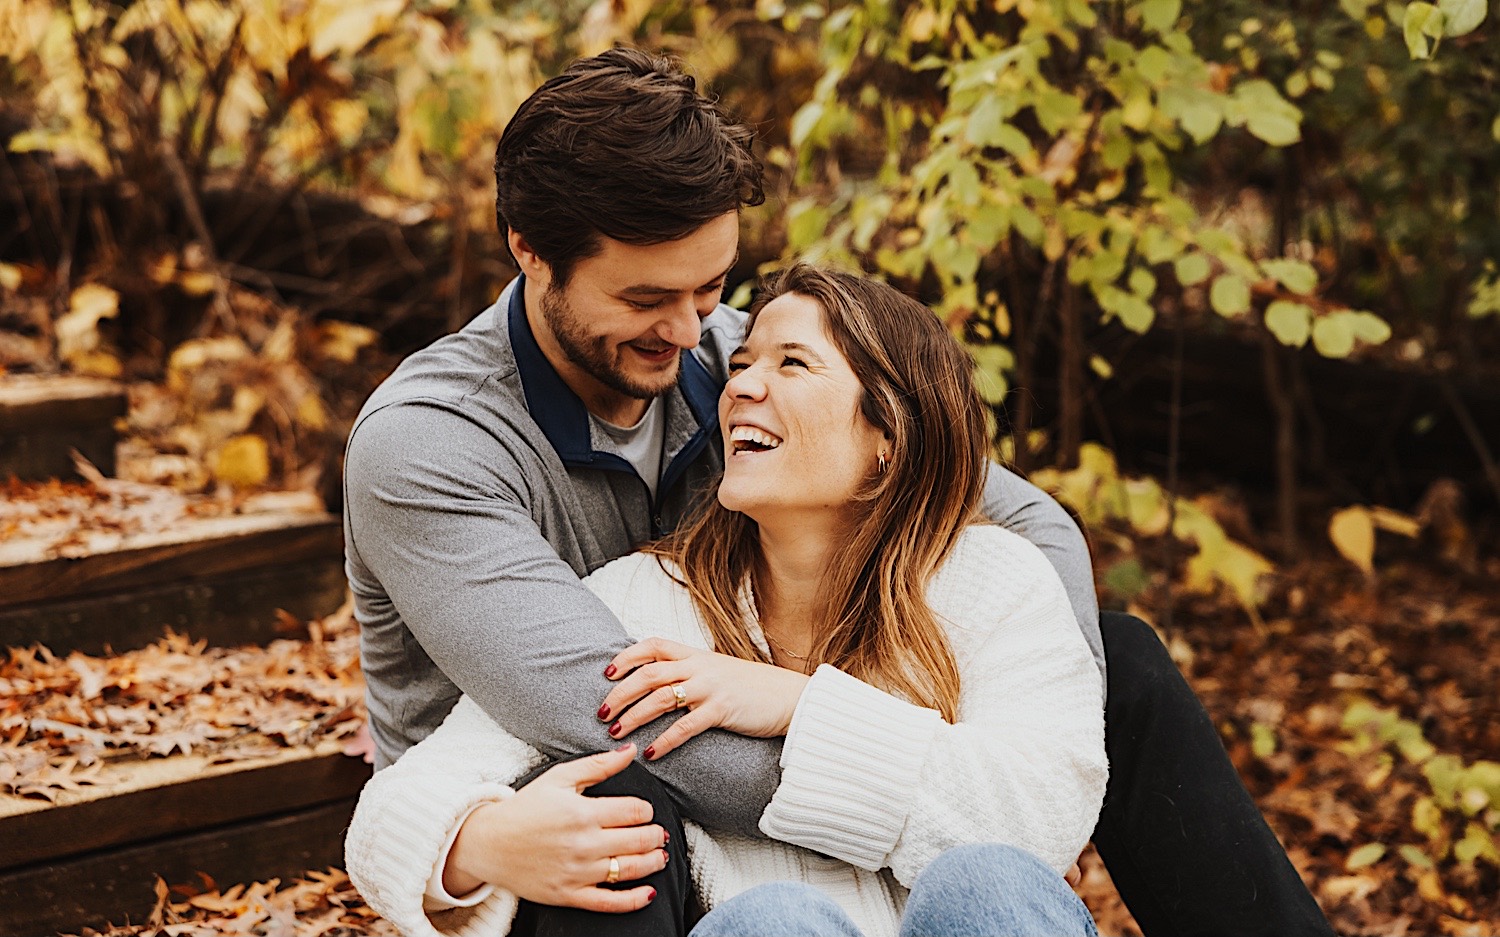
<point>673,911</point>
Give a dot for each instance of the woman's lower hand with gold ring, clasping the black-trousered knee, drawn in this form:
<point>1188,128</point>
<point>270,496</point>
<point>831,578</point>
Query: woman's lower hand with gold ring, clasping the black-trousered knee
<point>551,845</point>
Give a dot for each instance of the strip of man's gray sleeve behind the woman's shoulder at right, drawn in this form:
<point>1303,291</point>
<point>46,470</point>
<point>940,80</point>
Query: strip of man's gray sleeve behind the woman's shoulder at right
<point>1025,509</point>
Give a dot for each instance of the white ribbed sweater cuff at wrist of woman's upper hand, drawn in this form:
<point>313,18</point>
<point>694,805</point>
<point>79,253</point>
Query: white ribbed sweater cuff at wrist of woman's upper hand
<point>850,767</point>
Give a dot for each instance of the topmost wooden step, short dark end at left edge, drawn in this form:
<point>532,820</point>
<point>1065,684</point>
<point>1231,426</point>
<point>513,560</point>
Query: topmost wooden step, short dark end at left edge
<point>43,419</point>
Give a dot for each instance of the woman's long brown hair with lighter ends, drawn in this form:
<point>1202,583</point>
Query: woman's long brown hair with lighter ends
<point>919,391</point>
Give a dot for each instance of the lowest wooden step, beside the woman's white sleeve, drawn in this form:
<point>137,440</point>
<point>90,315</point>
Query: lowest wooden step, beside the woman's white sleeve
<point>94,857</point>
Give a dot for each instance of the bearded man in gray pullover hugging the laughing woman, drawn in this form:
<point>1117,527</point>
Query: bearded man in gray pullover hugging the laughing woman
<point>577,419</point>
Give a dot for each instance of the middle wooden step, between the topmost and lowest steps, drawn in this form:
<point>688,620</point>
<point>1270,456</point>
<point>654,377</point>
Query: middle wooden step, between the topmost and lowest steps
<point>211,578</point>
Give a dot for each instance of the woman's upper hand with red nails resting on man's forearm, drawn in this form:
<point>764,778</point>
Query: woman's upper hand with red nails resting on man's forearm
<point>719,690</point>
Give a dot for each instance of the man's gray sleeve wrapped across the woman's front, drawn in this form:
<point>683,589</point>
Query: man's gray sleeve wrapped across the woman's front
<point>439,512</point>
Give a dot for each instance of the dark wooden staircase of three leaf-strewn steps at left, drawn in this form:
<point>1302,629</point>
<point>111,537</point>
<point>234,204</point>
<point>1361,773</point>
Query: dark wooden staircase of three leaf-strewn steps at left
<point>94,855</point>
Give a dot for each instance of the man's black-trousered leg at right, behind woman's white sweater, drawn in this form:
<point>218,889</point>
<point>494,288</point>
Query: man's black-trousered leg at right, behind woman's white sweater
<point>1180,834</point>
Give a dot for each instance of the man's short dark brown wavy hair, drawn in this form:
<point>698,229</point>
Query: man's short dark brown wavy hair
<point>622,146</point>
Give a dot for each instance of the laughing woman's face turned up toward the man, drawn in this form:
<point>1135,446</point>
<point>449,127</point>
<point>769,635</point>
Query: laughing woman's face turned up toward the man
<point>796,442</point>
